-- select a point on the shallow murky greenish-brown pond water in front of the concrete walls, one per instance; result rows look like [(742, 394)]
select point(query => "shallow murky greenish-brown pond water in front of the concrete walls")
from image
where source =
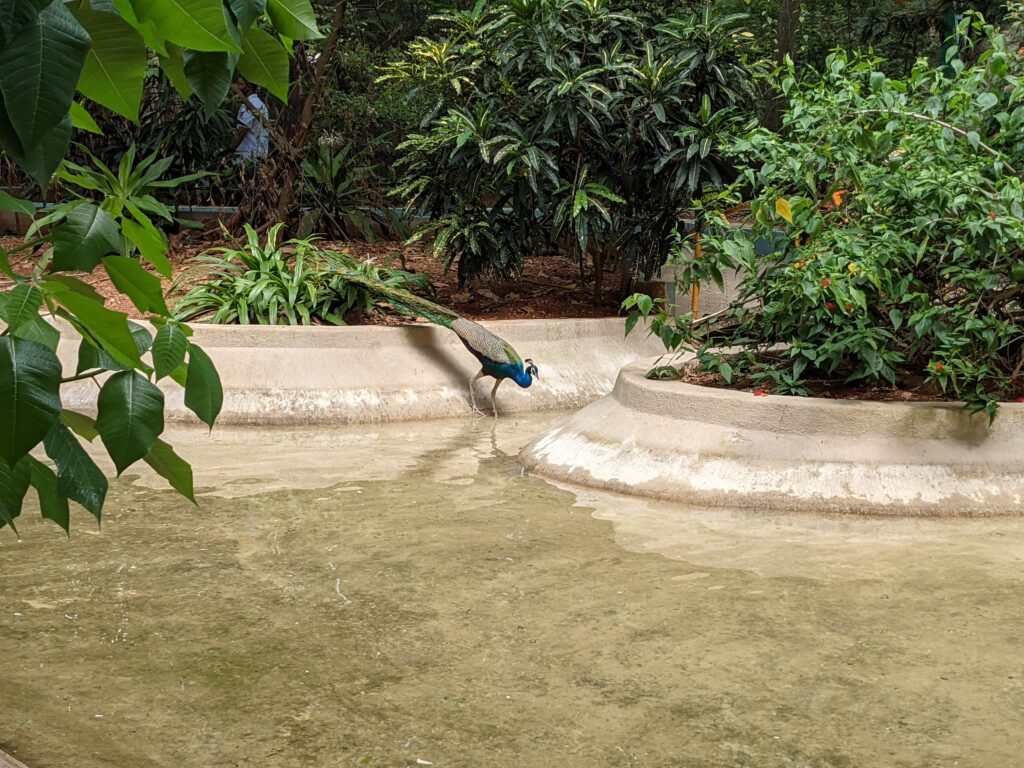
[(388, 595)]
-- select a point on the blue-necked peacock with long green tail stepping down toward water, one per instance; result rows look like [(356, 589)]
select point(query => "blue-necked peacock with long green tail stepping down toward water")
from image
[(497, 357)]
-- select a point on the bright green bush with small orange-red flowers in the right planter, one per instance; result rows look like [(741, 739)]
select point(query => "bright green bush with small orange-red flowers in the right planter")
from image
[(900, 209)]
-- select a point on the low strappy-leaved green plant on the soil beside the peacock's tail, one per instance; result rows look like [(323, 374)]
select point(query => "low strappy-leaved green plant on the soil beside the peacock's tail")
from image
[(272, 283)]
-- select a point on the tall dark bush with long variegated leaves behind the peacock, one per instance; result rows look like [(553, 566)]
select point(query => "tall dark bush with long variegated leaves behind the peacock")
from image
[(584, 123)]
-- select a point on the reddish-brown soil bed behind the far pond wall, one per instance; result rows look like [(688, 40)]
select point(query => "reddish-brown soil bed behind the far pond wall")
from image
[(550, 286)]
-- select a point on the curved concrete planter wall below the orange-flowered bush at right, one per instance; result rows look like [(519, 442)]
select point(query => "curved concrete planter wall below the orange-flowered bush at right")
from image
[(718, 448)]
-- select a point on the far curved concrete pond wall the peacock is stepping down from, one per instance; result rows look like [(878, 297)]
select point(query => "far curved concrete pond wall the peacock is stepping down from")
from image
[(318, 375)]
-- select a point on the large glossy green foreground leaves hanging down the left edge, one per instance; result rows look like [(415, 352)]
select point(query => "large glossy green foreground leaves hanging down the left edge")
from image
[(50, 52)]
